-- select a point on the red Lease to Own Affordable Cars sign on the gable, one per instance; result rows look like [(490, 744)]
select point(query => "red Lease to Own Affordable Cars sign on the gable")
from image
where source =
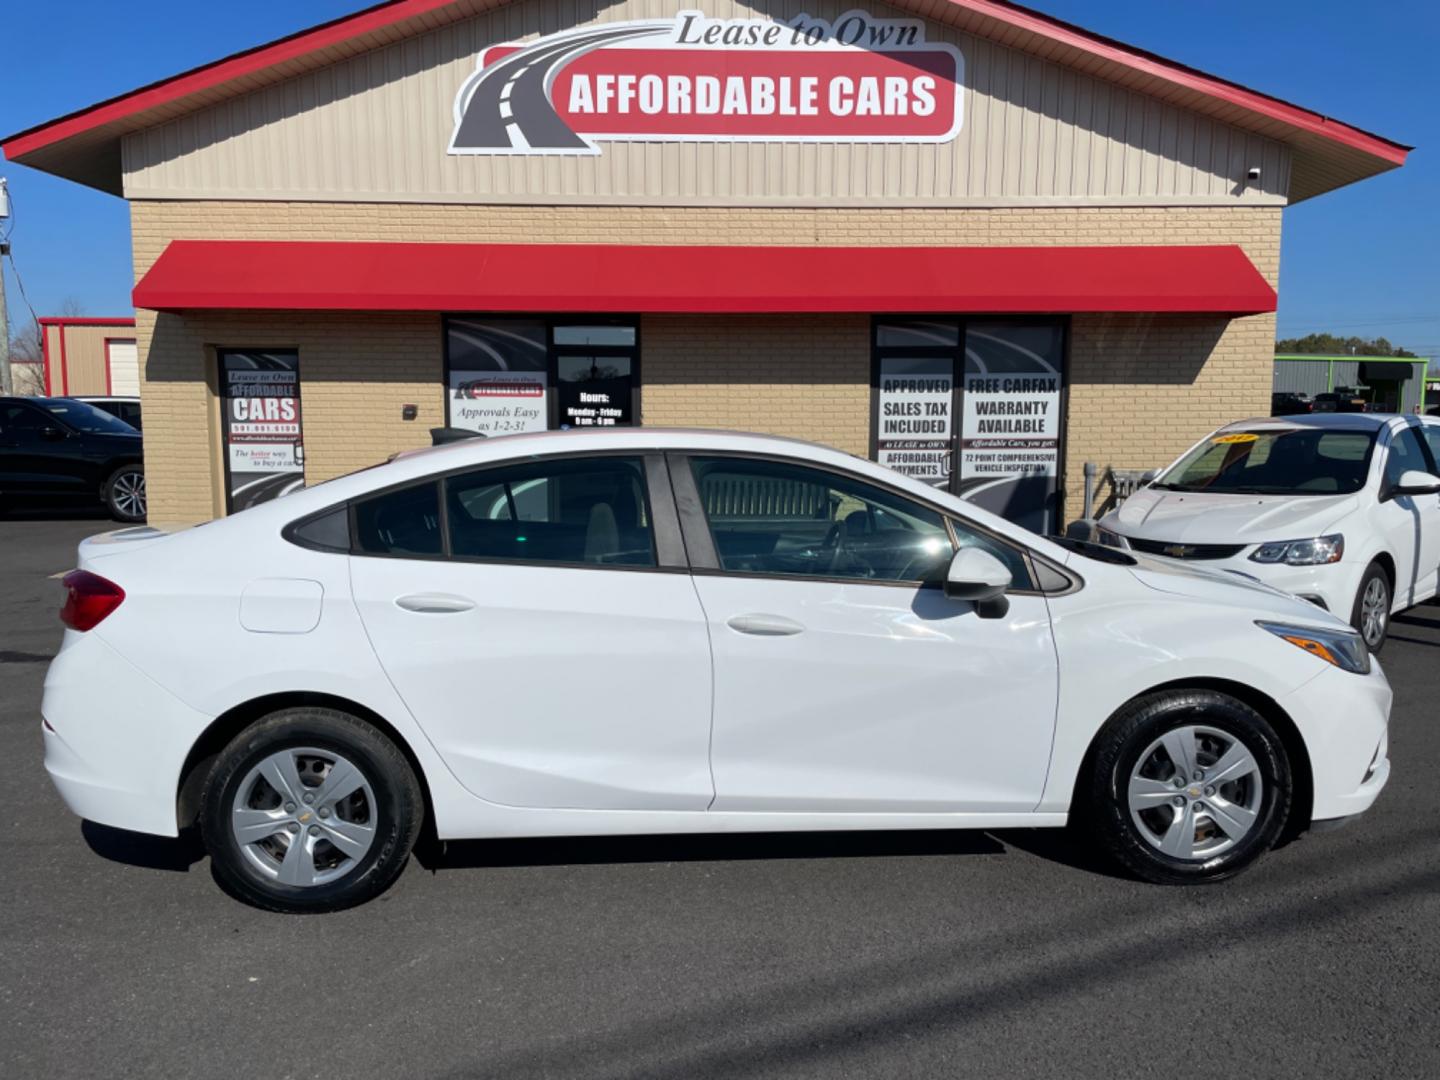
[(693, 78)]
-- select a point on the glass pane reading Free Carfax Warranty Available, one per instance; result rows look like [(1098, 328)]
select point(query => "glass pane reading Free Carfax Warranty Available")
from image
[(1010, 428)]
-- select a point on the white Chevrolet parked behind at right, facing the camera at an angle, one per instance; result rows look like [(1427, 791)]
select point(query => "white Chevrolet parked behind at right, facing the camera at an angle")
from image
[(1340, 509)]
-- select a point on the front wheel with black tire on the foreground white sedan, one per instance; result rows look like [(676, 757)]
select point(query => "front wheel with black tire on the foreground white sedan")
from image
[(1187, 787)]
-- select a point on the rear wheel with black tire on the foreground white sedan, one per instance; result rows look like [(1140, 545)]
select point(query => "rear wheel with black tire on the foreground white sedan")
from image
[(310, 810)]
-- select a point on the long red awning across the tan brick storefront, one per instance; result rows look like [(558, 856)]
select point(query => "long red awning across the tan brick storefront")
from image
[(283, 276)]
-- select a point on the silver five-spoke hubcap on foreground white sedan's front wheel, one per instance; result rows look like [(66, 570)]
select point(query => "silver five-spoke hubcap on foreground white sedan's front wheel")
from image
[(1196, 793)]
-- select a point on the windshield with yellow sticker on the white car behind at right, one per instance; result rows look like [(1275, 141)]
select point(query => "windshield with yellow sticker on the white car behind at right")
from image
[(1295, 462)]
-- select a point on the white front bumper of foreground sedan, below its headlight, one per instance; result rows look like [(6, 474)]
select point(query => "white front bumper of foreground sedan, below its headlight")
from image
[(1346, 724)]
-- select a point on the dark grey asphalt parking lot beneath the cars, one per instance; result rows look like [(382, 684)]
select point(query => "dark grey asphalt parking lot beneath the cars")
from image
[(834, 955)]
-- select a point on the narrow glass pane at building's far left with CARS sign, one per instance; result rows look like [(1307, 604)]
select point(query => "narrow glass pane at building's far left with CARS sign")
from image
[(264, 447)]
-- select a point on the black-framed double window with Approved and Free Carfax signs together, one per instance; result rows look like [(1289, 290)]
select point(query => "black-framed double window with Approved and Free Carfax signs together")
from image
[(976, 407)]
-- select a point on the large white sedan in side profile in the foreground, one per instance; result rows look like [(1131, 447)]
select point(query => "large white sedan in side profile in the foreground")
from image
[(660, 631)]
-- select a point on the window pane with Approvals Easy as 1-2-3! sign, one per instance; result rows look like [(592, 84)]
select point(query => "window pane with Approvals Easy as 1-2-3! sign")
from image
[(498, 377)]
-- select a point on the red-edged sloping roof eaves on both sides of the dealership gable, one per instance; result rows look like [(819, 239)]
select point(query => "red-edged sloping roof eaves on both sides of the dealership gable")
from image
[(84, 145)]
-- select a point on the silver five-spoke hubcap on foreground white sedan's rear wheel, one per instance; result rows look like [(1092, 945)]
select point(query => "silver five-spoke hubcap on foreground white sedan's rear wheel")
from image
[(305, 817)]
